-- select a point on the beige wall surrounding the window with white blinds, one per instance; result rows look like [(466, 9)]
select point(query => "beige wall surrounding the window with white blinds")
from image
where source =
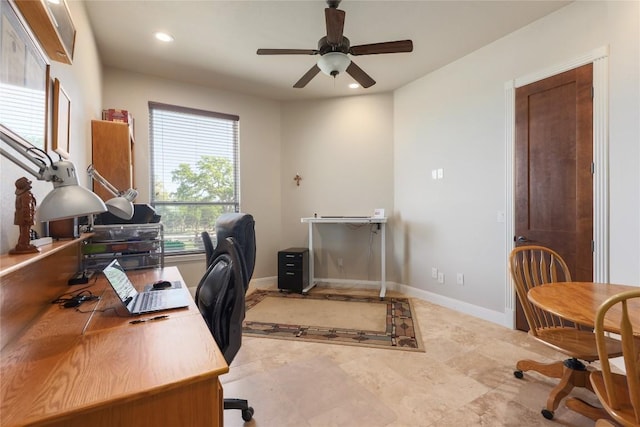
[(259, 151)]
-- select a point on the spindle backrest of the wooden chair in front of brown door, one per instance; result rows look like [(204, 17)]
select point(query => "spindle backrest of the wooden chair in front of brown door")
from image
[(533, 266)]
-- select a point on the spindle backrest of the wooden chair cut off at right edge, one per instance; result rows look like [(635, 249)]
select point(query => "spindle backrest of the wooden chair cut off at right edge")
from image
[(630, 350)]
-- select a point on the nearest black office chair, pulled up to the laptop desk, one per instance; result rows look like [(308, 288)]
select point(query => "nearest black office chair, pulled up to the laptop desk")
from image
[(220, 298)]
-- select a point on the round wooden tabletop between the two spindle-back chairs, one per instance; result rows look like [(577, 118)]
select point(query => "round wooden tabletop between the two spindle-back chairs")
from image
[(579, 302)]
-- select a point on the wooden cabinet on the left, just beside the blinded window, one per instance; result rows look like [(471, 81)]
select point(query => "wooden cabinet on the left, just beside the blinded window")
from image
[(112, 155)]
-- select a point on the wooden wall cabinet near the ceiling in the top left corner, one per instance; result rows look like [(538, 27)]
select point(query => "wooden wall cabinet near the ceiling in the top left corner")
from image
[(52, 25)]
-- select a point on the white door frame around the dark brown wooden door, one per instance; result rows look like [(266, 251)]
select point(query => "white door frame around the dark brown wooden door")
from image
[(600, 59)]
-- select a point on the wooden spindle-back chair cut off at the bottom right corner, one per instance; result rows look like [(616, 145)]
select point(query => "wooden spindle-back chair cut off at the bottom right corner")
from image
[(619, 393)]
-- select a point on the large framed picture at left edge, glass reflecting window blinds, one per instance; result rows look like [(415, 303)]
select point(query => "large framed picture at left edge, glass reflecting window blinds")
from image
[(24, 79)]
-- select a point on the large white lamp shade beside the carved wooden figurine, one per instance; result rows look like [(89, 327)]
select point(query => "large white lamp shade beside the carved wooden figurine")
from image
[(68, 199)]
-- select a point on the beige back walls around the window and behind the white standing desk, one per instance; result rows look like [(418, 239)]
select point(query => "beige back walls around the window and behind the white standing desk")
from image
[(343, 149)]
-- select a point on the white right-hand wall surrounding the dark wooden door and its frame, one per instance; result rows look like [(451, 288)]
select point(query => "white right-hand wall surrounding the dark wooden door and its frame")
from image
[(454, 119)]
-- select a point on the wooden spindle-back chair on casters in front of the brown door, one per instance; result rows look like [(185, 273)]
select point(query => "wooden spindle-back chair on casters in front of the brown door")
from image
[(533, 266)]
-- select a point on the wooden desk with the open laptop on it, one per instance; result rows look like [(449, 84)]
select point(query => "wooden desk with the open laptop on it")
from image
[(93, 368)]
